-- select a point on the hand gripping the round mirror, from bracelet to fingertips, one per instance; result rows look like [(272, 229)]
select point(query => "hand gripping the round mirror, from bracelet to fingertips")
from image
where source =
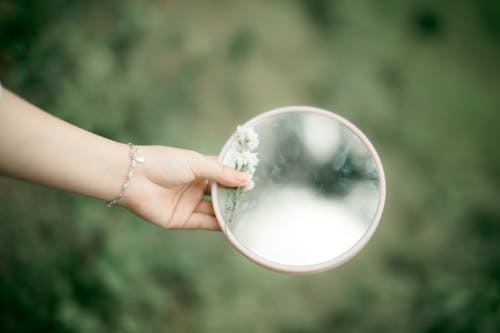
[(167, 190)]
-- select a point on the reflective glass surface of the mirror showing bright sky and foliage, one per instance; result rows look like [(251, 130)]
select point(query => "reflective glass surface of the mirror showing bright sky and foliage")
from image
[(316, 191)]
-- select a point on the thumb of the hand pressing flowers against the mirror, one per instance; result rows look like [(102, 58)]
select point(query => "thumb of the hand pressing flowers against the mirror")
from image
[(208, 167)]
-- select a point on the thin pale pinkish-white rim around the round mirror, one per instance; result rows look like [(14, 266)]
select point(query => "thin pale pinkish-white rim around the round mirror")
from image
[(334, 262)]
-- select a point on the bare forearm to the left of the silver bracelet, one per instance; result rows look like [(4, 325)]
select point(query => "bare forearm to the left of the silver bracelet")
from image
[(40, 148)]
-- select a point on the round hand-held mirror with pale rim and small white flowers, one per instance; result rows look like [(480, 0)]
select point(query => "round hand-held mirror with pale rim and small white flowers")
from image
[(317, 195)]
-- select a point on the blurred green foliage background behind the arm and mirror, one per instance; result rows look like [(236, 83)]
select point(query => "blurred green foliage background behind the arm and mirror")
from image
[(420, 78)]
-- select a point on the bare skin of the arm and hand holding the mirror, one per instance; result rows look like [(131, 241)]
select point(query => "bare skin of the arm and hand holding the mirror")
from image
[(166, 190)]
